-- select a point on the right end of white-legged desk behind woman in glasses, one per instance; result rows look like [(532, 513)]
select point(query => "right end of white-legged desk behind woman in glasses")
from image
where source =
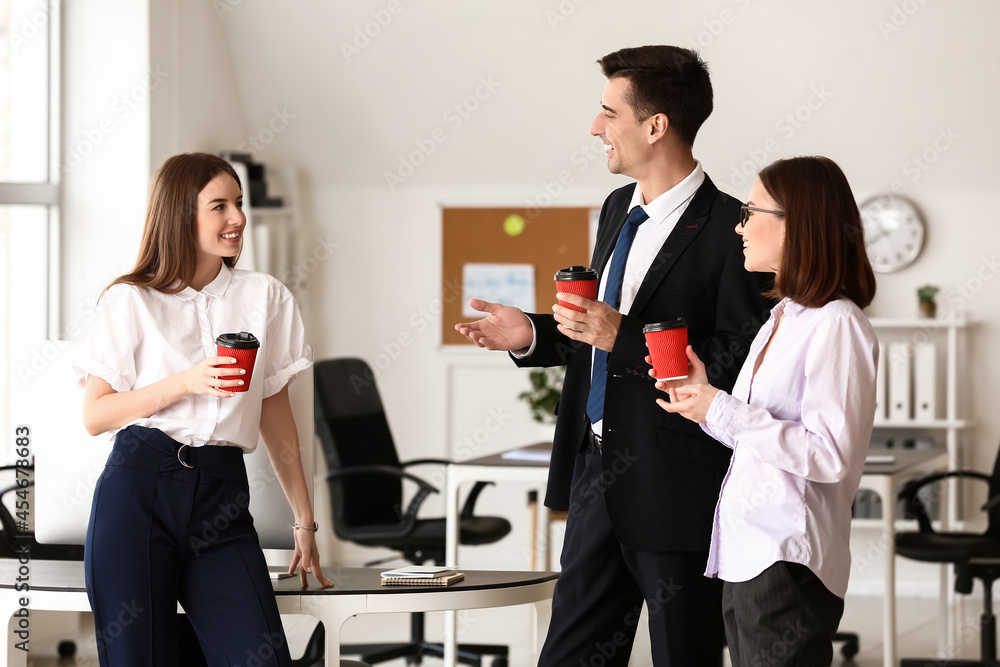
[(885, 479)]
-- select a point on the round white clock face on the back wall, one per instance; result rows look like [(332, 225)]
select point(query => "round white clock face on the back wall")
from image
[(894, 232)]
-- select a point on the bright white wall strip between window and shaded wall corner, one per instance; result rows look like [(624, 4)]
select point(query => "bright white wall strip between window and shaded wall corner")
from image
[(106, 135)]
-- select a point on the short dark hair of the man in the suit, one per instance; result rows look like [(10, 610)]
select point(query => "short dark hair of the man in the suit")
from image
[(664, 79)]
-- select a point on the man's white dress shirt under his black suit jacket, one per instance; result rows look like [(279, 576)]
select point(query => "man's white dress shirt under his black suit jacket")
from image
[(663, 212)]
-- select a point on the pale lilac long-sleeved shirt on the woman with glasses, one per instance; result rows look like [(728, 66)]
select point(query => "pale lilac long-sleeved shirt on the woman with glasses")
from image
[(799, 431)]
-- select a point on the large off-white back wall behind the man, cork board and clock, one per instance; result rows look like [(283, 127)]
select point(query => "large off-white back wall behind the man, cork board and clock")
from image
[(871, 84)]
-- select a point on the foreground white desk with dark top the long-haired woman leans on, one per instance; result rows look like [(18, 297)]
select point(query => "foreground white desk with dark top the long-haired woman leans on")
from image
[(59, 586)]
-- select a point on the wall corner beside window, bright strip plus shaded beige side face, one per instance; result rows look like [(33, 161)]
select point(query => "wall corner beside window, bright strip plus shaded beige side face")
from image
[(141, 81)]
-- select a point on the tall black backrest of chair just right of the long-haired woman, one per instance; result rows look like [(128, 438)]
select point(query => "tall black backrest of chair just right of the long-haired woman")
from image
[(353, 431)]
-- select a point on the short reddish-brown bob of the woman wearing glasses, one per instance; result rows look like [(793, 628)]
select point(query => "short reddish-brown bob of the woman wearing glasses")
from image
[(824, 254)]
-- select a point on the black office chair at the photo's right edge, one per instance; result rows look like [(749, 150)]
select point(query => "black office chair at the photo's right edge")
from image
[(974, 555)]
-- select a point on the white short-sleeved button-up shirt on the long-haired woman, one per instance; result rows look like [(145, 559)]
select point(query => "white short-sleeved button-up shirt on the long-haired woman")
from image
[(140, 336)]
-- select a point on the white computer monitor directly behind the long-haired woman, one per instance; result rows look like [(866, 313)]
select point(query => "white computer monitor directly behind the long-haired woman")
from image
[(46, 398)]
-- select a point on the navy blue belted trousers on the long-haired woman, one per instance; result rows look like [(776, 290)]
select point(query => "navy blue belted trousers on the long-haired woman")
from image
[(162, 533)]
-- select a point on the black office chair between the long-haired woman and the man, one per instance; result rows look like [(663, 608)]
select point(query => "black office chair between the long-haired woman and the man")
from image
[(365, 478)]
